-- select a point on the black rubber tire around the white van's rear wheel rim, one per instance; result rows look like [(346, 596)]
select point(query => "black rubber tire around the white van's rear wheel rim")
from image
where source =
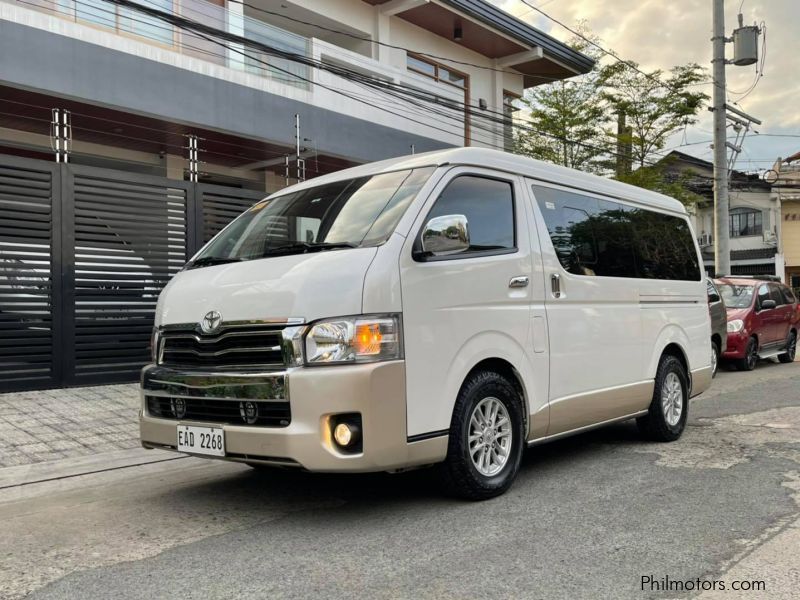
[(655, 424)]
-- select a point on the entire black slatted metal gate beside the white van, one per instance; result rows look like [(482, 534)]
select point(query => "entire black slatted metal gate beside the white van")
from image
[(84, 253)]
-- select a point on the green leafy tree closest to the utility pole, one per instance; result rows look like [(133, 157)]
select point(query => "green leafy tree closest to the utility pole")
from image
[(654, 106)]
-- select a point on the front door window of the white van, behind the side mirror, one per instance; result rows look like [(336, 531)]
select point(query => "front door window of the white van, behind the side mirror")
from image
[(488, 205)]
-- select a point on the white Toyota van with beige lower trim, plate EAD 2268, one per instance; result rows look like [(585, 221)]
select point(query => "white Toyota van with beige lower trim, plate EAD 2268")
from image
[(452, 307)]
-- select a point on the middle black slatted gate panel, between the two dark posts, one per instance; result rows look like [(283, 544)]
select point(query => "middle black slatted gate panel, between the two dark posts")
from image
[(130, 239)]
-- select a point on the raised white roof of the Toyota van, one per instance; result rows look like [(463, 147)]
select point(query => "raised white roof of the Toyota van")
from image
[(511, 163)]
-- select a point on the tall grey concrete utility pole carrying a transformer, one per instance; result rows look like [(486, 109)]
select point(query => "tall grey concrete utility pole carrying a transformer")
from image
[(722, 254)]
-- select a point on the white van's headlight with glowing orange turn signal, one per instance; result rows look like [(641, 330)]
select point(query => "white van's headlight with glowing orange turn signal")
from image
[(346, 340)]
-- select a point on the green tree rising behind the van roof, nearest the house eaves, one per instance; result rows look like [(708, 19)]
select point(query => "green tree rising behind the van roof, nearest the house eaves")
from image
[(565, 122)]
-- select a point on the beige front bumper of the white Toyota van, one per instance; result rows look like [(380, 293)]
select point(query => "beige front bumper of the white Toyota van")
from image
[(316, 395)]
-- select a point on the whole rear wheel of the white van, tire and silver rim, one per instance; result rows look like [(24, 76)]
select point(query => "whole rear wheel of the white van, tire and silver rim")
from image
[(666, 418)]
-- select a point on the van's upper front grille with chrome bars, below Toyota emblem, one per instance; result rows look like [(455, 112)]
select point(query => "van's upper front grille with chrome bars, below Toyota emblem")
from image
[(235, 345)]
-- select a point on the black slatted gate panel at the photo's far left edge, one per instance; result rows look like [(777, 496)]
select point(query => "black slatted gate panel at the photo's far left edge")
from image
[(26, 281)]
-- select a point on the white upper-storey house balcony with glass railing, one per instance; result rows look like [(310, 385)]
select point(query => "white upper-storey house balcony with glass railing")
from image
[(124, 30)]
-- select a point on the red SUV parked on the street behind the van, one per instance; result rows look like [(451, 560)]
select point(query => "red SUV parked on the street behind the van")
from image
[(763, 320)]
